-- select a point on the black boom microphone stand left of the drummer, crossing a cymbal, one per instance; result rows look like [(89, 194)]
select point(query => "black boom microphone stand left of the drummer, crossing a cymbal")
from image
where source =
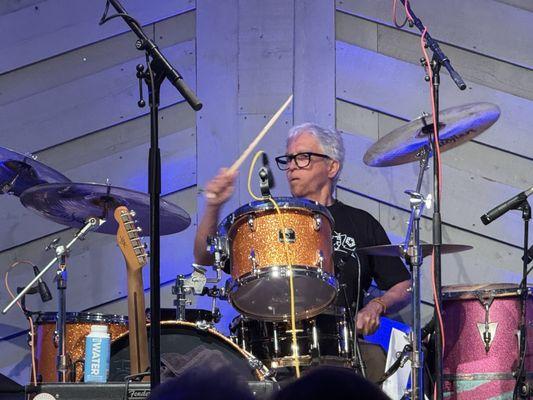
[(158, 69)]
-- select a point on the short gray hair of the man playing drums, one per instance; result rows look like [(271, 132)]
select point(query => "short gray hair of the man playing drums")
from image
[(330, 140)]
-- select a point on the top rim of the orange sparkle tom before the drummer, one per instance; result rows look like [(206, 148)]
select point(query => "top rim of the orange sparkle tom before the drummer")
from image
[(284, 203)]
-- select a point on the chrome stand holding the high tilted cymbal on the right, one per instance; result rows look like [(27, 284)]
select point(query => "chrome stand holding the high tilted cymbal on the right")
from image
[(413, 255)]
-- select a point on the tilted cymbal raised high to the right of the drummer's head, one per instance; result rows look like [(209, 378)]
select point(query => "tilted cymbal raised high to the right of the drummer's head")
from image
[(457, 125)]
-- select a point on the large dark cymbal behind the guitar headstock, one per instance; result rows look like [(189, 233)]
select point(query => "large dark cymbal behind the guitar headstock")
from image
[(72, 204)]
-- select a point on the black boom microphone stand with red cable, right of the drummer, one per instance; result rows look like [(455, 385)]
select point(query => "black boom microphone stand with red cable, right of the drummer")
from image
[(439, 59)]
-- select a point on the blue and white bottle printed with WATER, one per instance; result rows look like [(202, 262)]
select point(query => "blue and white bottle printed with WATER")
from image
[(97, 346)]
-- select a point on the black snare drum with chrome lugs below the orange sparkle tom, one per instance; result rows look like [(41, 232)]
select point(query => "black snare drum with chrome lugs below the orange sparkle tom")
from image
[(324, 339)]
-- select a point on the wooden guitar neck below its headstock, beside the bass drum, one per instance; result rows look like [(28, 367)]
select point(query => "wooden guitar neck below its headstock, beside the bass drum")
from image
[(139, 359)]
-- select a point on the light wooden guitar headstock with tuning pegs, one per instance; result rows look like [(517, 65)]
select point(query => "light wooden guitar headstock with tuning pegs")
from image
[(128, 239)]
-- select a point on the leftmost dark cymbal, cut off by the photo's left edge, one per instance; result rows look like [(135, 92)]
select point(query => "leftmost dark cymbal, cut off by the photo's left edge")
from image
[(19, 172)]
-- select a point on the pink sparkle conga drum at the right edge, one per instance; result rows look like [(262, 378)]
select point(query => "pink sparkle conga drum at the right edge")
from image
[(481, 324)]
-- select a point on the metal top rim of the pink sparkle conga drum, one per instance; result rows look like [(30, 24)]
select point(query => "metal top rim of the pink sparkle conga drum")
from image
[(481, 290)]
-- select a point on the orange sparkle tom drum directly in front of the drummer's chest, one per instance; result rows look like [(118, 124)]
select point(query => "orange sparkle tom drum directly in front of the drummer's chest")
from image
[(259, 287)]
